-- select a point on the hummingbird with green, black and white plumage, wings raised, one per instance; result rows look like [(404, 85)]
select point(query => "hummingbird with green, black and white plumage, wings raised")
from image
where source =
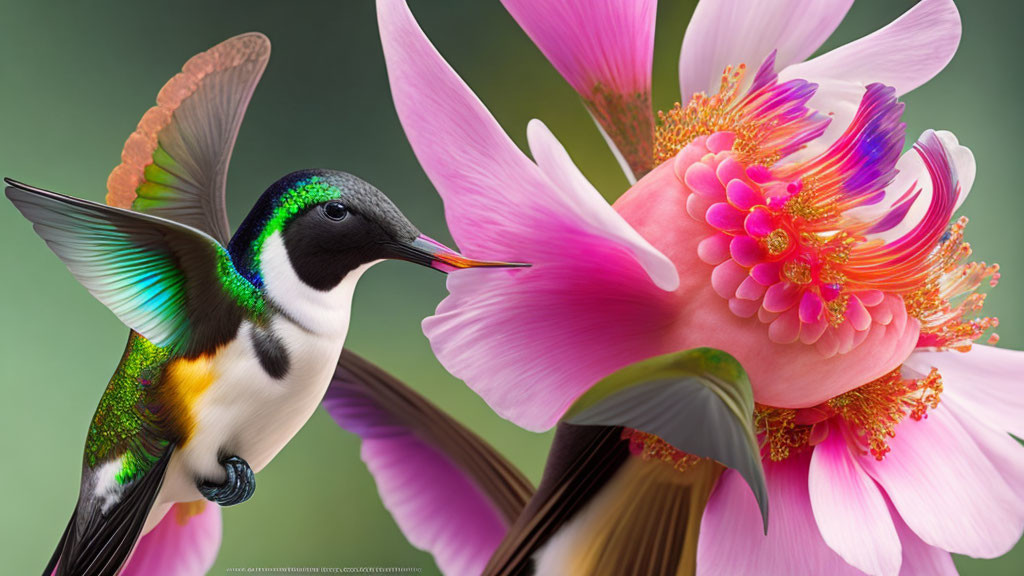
[(234, 338)]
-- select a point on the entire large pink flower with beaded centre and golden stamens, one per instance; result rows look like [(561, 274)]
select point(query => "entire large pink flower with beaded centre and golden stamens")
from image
[(778, 221)]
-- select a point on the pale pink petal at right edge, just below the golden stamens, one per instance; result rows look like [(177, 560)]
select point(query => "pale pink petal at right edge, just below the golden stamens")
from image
[(987, 382)]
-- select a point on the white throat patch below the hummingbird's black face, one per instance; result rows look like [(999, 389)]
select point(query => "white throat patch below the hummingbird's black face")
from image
[(325, 313)]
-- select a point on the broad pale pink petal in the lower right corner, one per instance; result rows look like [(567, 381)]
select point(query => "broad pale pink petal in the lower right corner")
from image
[(934, 475)]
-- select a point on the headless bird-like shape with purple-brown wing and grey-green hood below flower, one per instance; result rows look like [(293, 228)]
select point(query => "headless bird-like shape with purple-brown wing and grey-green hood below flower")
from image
[(631, 468)]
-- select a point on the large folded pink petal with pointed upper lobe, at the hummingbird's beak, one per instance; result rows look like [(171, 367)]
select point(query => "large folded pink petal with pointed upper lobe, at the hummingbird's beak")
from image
[(590, 271)]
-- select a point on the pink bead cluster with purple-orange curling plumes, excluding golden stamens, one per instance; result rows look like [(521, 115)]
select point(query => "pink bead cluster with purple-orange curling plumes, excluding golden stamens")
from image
[(788, 248)]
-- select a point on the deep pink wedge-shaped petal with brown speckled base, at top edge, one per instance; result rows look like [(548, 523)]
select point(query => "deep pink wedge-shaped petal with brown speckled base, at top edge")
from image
[(605, 51)]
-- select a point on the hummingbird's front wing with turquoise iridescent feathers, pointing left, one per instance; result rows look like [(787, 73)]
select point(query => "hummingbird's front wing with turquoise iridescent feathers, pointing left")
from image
[(172, 283)]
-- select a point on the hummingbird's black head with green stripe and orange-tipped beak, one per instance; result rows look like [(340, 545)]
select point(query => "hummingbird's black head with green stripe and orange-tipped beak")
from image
[(329, 225)]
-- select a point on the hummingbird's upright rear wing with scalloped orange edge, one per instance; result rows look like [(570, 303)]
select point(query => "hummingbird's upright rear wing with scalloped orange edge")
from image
[(176, 163)]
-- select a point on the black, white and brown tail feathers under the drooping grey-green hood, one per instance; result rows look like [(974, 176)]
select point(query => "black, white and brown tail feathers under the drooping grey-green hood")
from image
[(605, 513)]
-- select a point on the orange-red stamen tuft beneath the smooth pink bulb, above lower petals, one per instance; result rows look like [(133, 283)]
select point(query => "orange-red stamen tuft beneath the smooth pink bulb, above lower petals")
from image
[(868, 417)]
